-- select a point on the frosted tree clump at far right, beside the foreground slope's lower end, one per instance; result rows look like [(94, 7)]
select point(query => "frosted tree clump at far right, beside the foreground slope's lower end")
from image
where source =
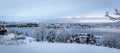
[(111, 41)]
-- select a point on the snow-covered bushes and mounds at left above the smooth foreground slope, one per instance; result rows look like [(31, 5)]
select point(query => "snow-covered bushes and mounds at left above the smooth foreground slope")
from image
[(10, 39)]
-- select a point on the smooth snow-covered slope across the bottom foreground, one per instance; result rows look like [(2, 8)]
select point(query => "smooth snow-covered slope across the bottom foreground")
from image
[(39, 47)]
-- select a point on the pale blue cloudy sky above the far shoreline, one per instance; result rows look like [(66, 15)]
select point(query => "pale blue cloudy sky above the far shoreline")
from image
[(23, 10)]
